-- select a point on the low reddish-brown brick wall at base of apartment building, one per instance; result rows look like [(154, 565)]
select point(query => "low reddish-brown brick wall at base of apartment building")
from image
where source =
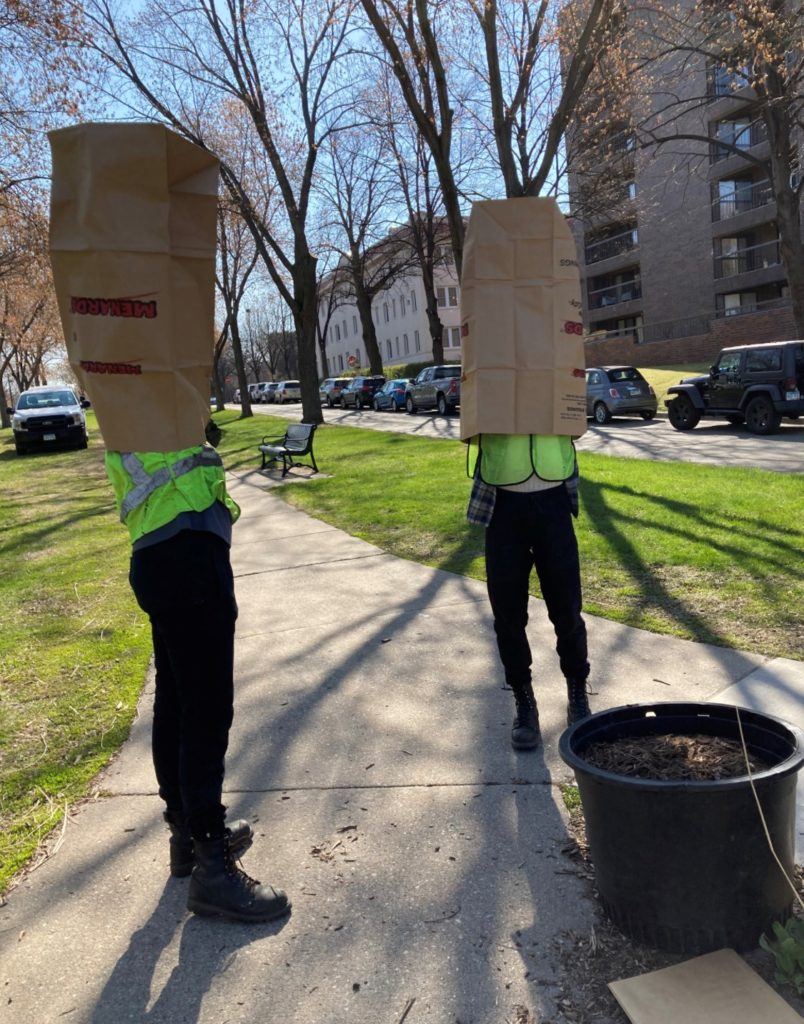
[(750, 329)]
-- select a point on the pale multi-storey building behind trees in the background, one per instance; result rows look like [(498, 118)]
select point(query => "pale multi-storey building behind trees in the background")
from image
[(400, 315)]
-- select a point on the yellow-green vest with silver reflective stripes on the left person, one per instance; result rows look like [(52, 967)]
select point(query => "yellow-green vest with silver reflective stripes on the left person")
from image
[(153, 488)]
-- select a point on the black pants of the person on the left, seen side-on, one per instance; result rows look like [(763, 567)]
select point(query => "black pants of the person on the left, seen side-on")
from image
[(186, 587)]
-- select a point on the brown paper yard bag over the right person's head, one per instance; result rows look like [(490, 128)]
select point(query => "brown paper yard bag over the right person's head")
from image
[(521, 322)]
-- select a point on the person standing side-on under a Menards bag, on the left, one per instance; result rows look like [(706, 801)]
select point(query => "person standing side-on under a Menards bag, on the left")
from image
[(137, 297)]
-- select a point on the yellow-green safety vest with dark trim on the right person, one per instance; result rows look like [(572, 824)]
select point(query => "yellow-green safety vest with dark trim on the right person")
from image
[(506, 459)]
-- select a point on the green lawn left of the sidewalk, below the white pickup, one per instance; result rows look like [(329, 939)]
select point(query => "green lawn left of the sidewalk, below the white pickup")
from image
[(74, 647)]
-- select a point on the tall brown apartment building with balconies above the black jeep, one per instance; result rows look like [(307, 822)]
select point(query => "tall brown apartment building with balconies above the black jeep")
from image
[(684, 257)]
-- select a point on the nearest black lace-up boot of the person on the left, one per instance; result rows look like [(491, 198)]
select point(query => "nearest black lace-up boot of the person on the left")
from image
[(220, 888)]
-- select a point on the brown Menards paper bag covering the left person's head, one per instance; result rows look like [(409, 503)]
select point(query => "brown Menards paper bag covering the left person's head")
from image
[(133, 247)]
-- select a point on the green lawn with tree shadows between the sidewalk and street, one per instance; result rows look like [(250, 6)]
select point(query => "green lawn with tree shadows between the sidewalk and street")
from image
[(707, 553)]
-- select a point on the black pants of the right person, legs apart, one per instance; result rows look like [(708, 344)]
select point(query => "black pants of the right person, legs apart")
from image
[(527, 531)]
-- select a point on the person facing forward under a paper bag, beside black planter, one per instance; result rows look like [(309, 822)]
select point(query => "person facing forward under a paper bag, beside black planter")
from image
[(523, 402)]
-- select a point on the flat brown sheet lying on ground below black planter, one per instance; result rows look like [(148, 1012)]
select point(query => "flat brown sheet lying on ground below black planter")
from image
[(717, 989)]
